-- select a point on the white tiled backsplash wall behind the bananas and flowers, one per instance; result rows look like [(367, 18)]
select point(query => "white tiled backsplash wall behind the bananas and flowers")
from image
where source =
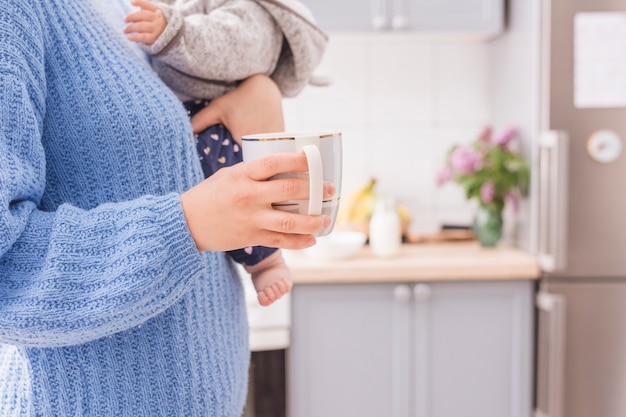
[(400, 103)]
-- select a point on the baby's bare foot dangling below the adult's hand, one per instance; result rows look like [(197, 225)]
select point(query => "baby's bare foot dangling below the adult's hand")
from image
[(271, 278)]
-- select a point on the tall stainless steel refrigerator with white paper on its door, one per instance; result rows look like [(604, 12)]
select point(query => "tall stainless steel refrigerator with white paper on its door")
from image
[(581, 339)]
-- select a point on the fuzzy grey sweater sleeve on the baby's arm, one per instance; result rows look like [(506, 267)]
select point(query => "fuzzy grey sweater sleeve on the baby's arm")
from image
[(230, 43)]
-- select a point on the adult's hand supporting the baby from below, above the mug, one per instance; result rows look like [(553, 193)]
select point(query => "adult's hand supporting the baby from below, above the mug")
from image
[(255, 106)]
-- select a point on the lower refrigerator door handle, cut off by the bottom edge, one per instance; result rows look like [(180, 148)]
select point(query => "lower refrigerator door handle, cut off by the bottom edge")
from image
[(550, 355)]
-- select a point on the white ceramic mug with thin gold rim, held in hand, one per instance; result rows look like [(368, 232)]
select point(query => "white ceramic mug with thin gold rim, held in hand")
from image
[(324, 157)]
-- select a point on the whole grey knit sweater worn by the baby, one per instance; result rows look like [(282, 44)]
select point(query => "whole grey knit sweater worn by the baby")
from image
[(209, 46)]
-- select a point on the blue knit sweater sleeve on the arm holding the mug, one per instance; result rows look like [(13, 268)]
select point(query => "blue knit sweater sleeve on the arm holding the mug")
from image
[(70, 276)]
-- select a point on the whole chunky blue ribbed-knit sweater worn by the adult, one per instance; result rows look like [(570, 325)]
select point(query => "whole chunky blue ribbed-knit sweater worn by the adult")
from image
[(106, 306)]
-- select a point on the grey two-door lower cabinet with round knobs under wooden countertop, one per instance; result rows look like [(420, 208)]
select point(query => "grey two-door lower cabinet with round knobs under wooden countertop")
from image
[(442, 349)]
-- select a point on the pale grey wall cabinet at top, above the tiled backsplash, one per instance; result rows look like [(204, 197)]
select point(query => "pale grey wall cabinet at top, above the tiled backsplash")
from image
[(481, 18)]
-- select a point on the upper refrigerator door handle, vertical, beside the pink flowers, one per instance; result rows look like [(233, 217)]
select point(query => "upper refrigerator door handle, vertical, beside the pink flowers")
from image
[(553, 200)]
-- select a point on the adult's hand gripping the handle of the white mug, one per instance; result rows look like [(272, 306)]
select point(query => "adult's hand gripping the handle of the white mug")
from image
[(233, 208)]
